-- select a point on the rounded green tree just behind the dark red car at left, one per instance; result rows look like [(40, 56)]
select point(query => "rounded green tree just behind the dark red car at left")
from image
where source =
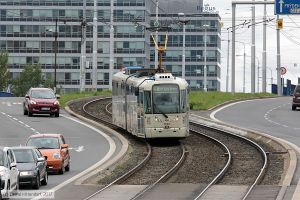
[(31, 76)]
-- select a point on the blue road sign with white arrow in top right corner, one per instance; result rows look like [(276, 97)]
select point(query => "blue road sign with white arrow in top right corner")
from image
[(287, 7)]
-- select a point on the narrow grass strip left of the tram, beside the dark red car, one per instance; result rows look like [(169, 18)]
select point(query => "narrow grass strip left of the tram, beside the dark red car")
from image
[(77, 95)]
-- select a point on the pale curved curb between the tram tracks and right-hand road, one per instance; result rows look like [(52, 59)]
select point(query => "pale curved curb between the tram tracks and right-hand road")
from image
[(263, 137)]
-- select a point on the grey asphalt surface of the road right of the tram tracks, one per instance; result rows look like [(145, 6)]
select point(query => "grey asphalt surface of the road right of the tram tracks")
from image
[(272, 116)]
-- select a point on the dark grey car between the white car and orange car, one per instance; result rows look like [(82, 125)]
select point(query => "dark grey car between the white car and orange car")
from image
[(32, 166)]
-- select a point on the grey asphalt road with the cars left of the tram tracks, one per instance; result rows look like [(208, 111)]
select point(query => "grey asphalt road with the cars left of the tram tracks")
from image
[(87, 146)]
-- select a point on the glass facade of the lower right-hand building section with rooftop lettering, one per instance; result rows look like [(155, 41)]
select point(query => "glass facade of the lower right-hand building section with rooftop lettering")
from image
[(194, 48)]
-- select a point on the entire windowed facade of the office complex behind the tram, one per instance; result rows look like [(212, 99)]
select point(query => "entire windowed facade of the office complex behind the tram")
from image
[(27, 30)]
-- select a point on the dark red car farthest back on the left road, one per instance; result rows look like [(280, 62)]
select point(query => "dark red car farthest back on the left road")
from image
[(41, 101)]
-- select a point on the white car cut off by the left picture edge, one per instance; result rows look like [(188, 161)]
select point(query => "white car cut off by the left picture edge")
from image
[(8, 172)]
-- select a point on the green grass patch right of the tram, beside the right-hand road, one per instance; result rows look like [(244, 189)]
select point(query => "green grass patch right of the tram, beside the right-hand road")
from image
[(206, 100)]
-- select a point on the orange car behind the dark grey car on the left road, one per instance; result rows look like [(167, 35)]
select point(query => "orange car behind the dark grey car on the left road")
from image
[(54, 148)]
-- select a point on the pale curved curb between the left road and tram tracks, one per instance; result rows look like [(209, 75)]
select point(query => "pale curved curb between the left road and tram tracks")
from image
[(110, 162)]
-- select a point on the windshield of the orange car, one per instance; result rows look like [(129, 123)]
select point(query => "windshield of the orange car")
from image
[(44, 143)]
